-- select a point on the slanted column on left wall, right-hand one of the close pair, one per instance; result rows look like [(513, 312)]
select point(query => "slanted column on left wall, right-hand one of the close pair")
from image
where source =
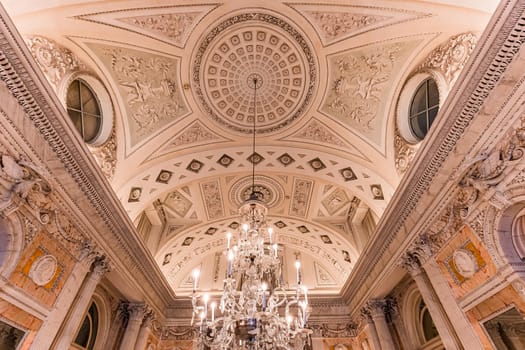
[(76, 315)]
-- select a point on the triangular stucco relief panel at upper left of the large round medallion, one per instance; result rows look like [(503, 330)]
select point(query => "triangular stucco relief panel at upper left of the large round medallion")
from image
[(175, 27)]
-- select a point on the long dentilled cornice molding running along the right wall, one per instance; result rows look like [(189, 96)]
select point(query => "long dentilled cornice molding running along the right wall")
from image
[(494, 53)]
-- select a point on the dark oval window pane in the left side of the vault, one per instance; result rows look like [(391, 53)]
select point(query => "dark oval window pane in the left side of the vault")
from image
[(84, 110)]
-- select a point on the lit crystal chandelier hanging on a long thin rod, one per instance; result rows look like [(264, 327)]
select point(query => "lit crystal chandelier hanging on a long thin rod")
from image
[(255, 311)]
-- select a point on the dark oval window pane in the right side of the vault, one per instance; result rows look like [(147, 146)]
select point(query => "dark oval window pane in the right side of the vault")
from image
[(423, 108)]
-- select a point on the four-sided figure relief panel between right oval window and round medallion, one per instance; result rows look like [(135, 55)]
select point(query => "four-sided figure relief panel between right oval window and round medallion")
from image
[(360, 81)]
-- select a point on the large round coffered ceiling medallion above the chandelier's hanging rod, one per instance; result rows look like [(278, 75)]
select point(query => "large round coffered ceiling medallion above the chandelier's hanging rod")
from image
[(260, 48)]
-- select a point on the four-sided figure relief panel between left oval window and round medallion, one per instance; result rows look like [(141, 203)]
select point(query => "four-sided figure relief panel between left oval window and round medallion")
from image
[(149, 86)]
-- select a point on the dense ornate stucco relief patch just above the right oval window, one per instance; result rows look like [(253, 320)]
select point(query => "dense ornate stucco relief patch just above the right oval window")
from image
[(450, 58)]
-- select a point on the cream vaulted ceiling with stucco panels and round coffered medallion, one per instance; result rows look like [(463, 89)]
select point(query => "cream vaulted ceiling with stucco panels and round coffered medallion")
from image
[(180, 84)]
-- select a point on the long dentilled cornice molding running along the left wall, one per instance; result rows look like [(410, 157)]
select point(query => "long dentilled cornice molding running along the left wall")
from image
[(28, 85)]
